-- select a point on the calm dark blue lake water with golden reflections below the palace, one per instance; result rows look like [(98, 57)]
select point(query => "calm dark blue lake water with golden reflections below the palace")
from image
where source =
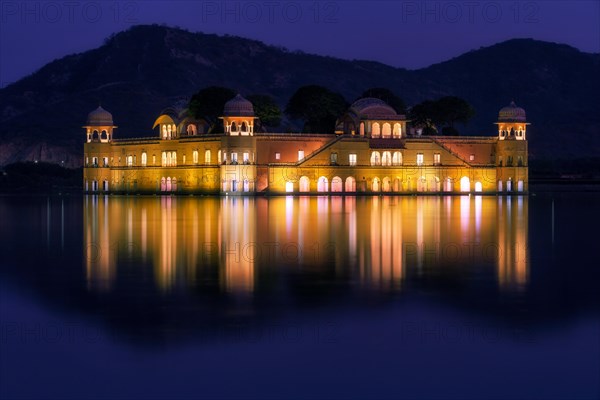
[(399, 297)]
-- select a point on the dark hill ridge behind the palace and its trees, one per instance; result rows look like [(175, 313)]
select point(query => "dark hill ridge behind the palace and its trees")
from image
[(138, 72)]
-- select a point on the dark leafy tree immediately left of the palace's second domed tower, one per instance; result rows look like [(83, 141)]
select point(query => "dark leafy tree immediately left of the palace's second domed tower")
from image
[(208, 103)]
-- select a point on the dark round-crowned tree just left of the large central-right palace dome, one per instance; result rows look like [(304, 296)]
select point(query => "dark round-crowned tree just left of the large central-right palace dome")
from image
[(318, 107)]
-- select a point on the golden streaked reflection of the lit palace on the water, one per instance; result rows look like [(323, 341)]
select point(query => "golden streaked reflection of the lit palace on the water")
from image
[(234, 242)]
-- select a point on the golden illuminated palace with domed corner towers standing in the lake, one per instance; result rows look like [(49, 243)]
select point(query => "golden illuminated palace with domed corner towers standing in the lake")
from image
[(370, 152)]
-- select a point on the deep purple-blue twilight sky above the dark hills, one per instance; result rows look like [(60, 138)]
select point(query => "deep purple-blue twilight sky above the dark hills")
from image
[(409, 34)]
